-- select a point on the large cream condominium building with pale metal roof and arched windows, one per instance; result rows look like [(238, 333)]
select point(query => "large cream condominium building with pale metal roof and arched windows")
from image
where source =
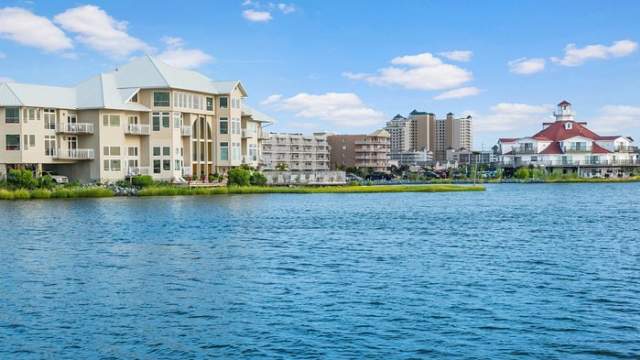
[(145, 117)]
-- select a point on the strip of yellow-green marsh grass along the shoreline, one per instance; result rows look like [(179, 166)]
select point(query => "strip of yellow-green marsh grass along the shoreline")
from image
[(170, 190)]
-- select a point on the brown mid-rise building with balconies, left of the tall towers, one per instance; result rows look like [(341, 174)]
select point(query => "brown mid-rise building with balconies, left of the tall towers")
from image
[(361, 151)]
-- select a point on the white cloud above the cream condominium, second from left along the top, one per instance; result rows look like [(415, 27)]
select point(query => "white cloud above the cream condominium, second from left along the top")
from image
[(98, 30)]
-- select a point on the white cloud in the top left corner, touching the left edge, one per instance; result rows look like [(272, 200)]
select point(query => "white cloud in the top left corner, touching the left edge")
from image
[(26, 28)]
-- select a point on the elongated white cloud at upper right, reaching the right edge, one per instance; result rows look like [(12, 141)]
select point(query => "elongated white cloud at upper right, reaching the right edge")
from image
[(574, 56)]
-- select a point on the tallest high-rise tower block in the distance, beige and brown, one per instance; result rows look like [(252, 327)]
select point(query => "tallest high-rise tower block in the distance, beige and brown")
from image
[(422, 136)]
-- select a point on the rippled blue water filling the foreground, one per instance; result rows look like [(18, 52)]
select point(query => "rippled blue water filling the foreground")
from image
[(518, 271)]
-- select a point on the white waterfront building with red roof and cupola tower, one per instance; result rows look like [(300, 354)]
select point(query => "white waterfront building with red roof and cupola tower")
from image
[(567, 143)]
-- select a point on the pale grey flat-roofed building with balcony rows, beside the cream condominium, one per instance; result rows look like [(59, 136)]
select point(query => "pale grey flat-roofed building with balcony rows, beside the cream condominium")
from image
[(296, 152)]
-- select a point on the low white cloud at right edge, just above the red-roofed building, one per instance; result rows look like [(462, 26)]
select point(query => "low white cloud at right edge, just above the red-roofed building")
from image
[(616, 120)]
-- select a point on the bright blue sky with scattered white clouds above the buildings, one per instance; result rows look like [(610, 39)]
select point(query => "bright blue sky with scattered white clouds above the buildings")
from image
[(350, 66)]
